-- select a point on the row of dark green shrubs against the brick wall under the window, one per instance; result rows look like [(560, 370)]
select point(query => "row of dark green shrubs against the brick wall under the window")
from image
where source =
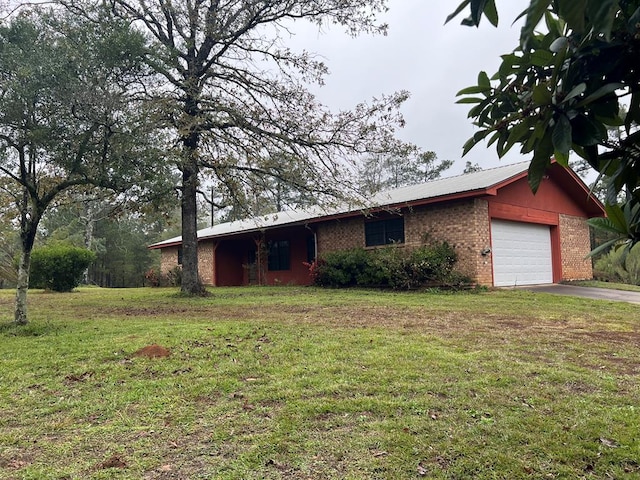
[(395, 267)]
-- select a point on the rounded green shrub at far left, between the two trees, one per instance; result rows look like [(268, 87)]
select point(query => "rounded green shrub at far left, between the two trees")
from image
[(59, 267)]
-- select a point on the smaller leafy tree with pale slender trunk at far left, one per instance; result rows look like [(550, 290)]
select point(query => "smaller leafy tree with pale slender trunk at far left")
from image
[(68, 119)]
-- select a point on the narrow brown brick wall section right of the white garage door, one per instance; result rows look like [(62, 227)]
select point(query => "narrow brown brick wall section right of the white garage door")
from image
[(575, 244)]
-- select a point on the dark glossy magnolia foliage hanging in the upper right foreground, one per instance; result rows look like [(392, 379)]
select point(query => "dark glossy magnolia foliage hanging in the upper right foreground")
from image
[(561, 89)]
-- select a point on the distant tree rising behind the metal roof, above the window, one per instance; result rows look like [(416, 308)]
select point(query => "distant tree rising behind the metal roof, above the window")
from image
[(410, 166)]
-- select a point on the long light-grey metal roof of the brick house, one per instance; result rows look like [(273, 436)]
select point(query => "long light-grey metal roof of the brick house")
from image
[(442, 187)]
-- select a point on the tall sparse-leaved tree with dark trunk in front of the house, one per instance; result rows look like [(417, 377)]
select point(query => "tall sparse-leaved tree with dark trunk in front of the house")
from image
[(235, 96)]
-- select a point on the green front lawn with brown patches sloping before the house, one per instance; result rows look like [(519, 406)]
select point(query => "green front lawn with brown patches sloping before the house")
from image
[(273, 383)]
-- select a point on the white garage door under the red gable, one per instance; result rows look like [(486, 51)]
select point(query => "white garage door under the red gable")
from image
[(521, 253)]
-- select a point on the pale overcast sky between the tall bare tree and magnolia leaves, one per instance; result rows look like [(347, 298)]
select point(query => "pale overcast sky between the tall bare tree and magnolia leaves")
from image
[(431, 60)]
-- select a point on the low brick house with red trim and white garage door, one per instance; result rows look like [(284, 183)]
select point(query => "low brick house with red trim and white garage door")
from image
[(503, 234)]
